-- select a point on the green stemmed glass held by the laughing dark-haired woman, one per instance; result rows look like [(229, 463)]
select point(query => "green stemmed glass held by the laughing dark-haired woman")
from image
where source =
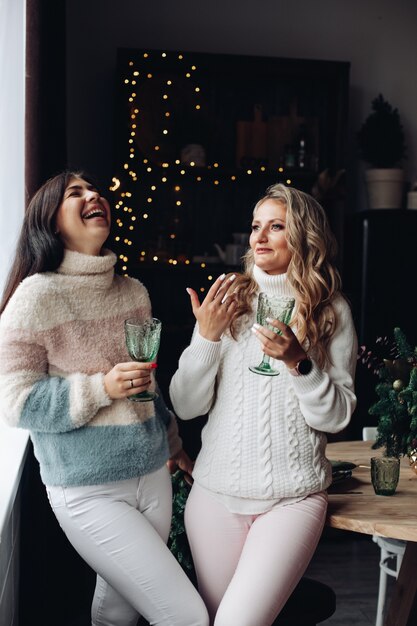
[(142, 342)]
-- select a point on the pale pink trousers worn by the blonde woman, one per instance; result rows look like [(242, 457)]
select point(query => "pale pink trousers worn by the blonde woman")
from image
[(248, 565)]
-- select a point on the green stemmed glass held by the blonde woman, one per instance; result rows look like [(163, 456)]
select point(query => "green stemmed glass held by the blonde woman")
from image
[(277, 308)]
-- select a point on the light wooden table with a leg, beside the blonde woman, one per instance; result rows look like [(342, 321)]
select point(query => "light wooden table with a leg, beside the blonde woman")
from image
[(354, 506)]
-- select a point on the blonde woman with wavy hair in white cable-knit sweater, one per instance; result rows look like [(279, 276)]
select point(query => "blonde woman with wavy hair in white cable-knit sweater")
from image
[(258, 503)]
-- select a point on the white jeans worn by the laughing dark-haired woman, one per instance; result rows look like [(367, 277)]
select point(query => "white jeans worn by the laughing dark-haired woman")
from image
[(120, 529)]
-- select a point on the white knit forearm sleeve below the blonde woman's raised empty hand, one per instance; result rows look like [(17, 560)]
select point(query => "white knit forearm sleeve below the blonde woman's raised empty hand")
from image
[(192, 387)]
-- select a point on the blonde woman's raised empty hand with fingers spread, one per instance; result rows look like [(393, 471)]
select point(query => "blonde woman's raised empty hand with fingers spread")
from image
[(214, 314)]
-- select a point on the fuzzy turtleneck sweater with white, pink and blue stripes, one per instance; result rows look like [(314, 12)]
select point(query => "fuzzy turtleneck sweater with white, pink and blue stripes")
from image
[(60, 334)]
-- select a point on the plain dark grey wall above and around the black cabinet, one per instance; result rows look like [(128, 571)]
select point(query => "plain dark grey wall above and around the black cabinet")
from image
[(378, 38)]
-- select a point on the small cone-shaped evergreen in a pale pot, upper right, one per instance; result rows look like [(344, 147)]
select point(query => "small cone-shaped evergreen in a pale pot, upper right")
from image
[(382, 145)]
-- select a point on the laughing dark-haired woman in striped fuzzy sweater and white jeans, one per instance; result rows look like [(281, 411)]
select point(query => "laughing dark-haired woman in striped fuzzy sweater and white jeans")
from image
[(65, 376)]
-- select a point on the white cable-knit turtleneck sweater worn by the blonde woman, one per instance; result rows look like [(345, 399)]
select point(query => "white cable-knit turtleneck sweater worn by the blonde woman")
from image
[(265, 437)]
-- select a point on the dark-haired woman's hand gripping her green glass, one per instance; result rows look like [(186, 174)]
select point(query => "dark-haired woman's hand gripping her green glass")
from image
[(126, 379)]
